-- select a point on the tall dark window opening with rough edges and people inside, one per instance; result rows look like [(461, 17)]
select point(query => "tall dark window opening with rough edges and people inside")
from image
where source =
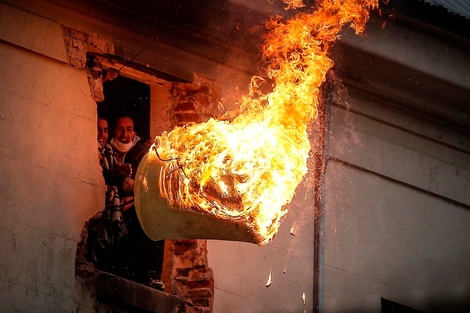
[(118, 244)]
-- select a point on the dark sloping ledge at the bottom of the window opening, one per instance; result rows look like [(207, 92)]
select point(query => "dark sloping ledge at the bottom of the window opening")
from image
[(123, 291)]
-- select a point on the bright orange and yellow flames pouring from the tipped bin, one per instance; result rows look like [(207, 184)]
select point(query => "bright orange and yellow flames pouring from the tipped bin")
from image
[(247, 170)]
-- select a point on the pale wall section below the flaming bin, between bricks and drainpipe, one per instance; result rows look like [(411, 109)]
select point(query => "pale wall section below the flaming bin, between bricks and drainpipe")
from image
[(241, 270)]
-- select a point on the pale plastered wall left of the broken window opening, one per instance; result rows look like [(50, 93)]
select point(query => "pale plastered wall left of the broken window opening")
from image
[(51, 182)]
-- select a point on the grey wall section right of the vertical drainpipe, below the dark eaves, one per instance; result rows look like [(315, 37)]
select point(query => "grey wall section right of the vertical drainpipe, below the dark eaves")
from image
[(388, 233)]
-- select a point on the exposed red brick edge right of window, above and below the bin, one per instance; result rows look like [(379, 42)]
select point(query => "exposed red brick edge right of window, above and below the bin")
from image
[(187, 272)]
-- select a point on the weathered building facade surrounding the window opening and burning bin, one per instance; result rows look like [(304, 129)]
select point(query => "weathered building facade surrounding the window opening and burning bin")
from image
[(382, 216)]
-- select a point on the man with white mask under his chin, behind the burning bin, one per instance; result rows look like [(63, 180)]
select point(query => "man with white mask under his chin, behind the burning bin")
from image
[(137, 257)]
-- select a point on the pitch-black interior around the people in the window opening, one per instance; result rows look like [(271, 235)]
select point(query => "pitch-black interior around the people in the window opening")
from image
[(132, 256)]
